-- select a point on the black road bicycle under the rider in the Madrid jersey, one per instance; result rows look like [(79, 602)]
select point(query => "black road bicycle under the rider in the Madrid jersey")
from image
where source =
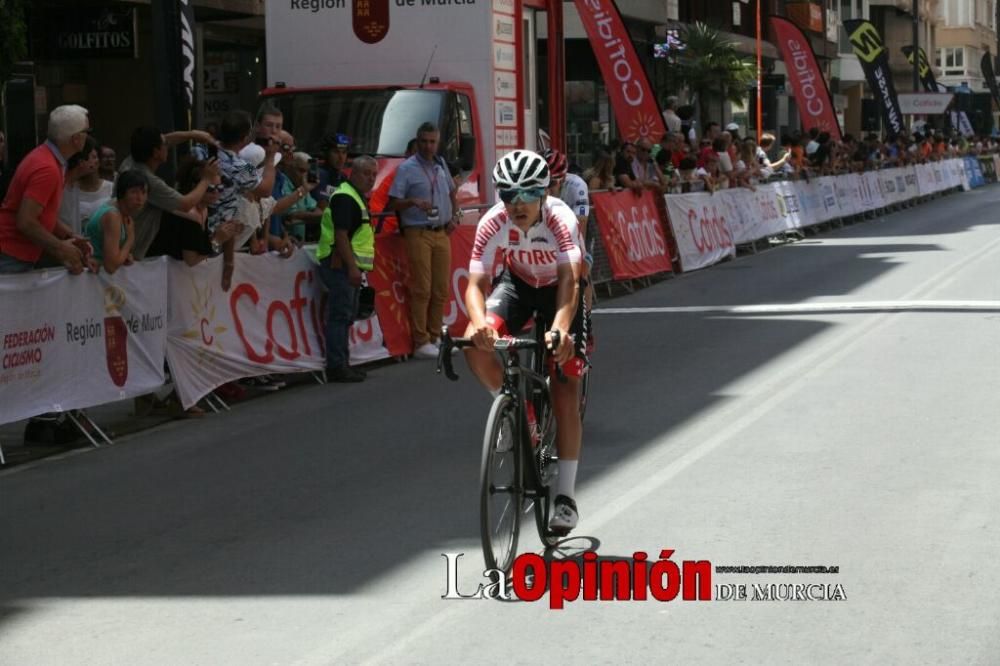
[(519, 461)]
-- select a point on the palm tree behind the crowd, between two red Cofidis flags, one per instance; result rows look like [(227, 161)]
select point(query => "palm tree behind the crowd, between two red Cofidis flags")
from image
[(712, 69)]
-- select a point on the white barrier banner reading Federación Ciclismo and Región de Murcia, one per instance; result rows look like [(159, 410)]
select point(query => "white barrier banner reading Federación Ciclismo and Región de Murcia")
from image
[(75, 341)]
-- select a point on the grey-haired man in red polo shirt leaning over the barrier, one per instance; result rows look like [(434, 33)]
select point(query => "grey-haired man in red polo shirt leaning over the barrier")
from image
[(29, 226)]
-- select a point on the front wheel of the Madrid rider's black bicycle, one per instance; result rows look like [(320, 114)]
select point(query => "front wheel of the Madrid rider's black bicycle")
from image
[(501, 492)]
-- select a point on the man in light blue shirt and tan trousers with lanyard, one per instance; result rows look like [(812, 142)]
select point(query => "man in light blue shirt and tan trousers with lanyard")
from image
[(424, 195)]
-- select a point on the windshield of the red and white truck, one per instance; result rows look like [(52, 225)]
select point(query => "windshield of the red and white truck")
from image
[(379, 122)]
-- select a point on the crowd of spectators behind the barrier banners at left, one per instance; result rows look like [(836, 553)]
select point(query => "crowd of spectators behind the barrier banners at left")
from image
[(245, 187)]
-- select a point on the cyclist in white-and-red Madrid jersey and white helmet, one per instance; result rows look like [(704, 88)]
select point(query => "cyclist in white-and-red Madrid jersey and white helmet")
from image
[(530, 243)]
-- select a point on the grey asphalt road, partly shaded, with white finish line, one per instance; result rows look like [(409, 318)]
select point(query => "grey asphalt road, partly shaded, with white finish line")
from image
[(846, 415)]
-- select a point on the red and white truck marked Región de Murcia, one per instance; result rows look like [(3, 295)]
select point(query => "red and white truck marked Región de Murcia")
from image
[(376, 69)]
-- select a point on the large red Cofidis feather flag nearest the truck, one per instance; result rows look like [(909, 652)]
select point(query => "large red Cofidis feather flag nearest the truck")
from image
[(632, 98)]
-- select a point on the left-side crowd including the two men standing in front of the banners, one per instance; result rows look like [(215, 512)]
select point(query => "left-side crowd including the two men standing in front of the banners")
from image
[(243, 186)]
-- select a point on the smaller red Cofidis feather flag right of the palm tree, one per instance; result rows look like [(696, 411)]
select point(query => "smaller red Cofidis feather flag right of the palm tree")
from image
[(811, 94)]
